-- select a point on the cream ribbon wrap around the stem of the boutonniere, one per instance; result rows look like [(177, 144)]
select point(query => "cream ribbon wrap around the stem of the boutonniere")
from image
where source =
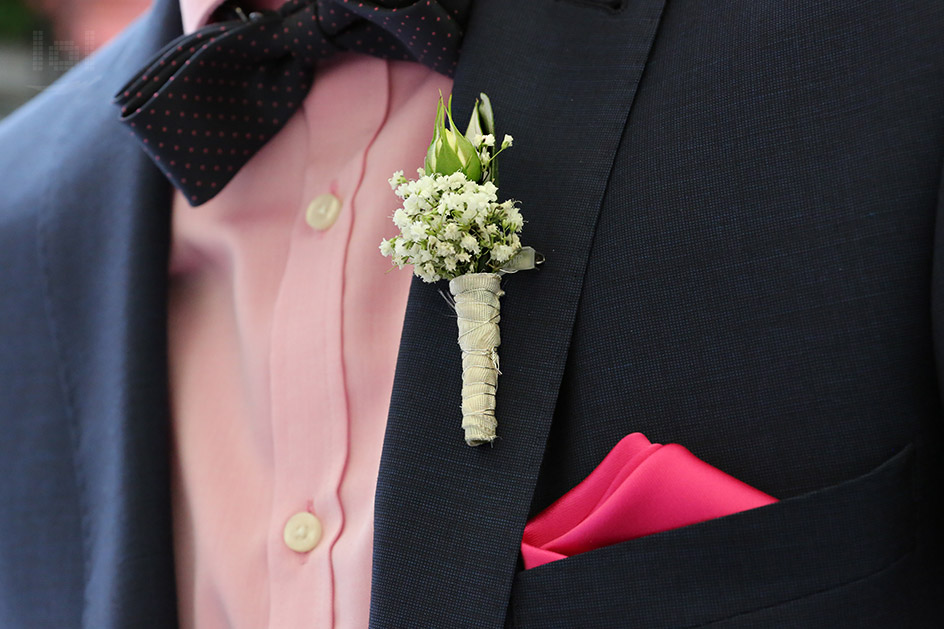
[(477, 306)]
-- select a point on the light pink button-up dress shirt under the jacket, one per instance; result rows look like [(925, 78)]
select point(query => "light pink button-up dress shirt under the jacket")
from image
[(283, 343)]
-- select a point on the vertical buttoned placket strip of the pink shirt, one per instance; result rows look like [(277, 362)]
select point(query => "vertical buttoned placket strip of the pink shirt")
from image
[(309, 405)]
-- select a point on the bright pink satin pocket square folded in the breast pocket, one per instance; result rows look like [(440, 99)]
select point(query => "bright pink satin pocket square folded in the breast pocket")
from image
[(639, 489)]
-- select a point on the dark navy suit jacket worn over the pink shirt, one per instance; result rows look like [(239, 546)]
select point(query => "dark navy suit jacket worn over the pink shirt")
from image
[(737, 201)]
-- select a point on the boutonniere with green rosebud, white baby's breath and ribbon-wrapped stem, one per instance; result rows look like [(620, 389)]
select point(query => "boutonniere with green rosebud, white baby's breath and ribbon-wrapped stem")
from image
[(453, 227)]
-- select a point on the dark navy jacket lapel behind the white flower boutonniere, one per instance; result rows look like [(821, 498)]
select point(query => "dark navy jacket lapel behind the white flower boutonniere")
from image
[(449, 518)]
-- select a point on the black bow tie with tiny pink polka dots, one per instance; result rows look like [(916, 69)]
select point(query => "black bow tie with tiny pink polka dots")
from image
[(205, 104)]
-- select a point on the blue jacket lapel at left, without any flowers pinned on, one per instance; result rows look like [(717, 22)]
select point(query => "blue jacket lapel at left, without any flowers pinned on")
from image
[(104, 234)]
